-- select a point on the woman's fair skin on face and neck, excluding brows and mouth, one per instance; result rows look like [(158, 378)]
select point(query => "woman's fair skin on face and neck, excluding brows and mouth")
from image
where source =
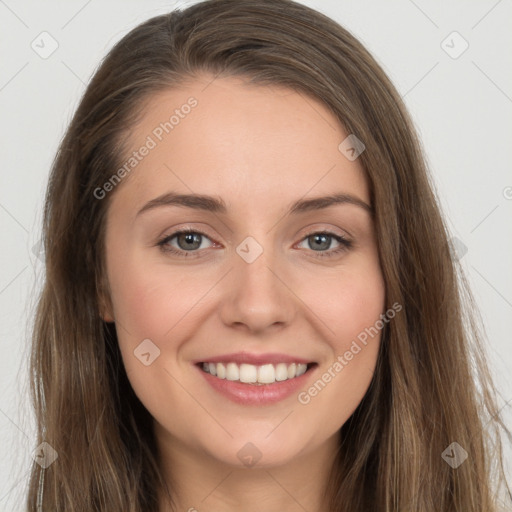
[(259, 149)]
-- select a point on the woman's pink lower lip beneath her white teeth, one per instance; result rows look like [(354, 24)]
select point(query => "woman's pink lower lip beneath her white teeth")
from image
[(251, 394)]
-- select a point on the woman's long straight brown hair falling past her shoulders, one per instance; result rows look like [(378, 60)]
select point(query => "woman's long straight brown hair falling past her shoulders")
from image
[(431, 387)]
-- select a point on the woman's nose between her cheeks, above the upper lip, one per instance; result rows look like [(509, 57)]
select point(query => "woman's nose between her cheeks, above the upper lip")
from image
[(258, 296)]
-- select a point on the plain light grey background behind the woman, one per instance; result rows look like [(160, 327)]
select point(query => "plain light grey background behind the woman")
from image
[(462, 108)]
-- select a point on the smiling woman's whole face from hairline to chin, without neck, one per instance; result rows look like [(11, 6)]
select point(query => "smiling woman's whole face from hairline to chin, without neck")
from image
[(265, 284)]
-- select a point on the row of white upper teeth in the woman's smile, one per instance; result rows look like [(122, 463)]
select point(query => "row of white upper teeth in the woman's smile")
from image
[(251, 374)]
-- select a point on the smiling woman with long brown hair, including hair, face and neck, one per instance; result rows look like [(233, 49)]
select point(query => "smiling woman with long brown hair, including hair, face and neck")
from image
[(250, 298)]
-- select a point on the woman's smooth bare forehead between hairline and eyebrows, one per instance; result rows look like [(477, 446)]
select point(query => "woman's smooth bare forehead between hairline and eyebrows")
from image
[(239, 141)]
